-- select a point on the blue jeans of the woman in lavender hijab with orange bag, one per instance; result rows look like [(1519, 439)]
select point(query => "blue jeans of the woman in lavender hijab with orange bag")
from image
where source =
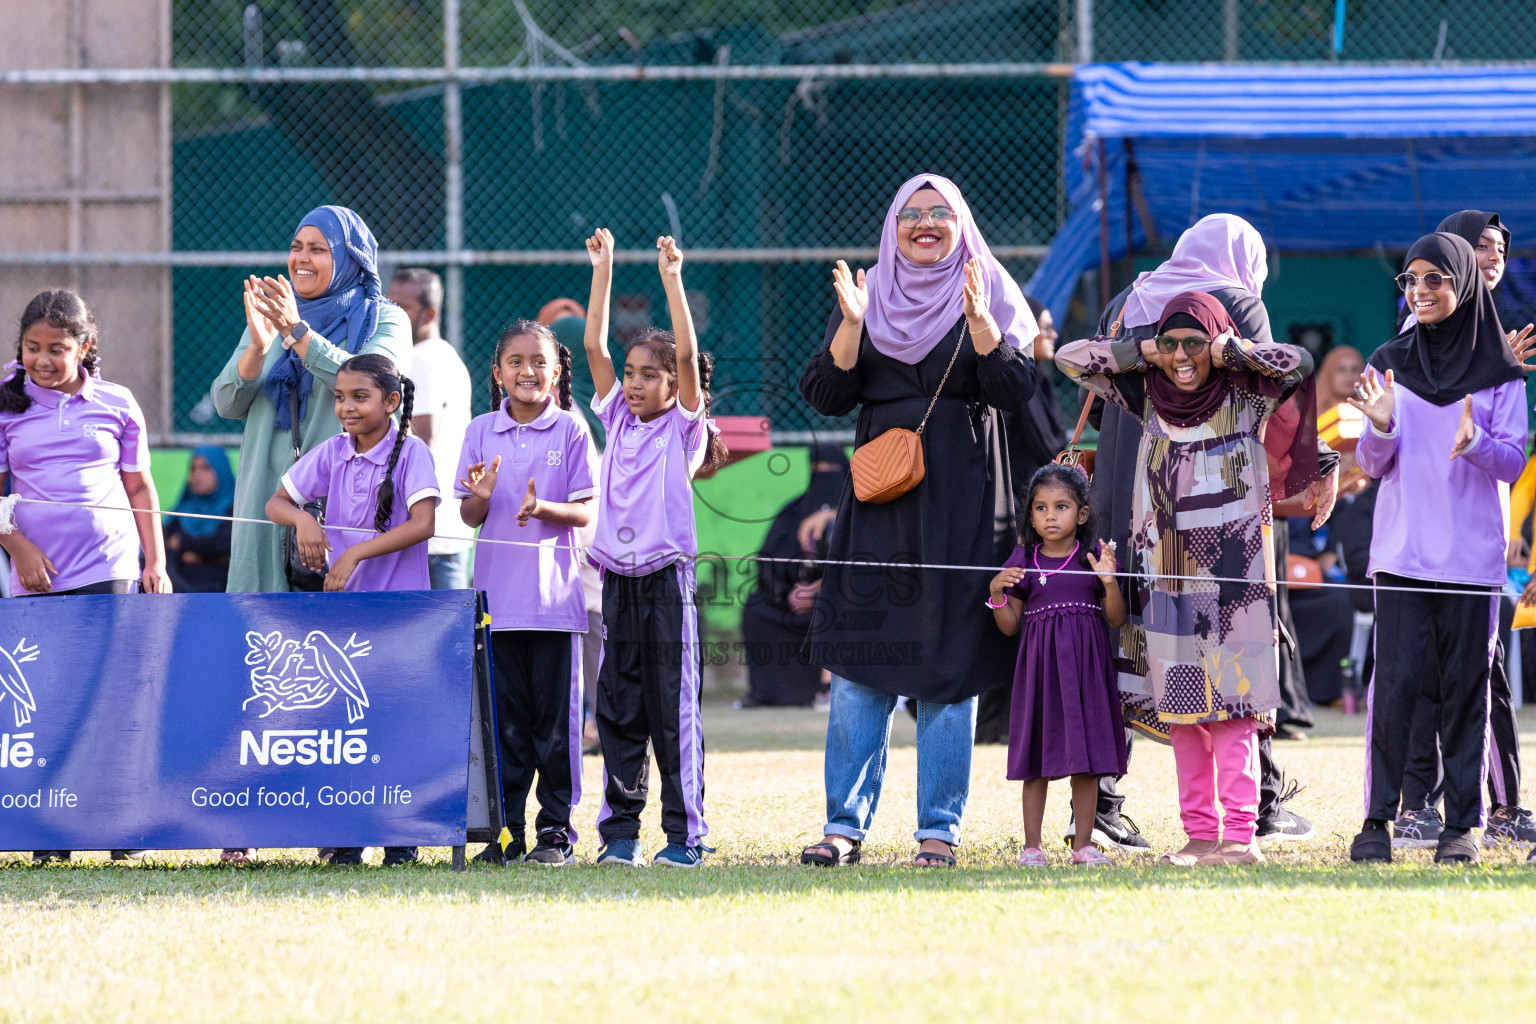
[(858, 742)]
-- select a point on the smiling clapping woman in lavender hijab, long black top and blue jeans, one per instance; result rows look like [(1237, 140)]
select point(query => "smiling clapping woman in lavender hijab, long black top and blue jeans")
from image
[(936, 296)]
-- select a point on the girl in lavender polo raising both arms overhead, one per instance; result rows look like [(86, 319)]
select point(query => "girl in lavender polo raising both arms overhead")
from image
[(649, 684)]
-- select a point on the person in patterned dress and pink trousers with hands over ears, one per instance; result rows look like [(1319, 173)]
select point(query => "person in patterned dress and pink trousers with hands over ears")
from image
[(1200, 544)]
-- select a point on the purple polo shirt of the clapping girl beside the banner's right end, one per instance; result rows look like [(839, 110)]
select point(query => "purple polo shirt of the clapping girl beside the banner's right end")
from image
[(531, 587)]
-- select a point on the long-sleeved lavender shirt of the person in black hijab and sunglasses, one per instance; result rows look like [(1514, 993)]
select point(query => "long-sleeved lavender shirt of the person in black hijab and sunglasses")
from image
[(1442, 518)]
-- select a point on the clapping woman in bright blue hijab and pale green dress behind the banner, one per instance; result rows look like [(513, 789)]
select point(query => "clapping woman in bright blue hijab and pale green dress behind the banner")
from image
[(299, 332)]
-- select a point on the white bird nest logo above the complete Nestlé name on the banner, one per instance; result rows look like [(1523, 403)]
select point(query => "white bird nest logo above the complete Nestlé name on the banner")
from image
[(300, 676)]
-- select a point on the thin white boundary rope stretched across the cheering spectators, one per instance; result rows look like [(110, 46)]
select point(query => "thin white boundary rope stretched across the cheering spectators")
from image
[(1488, 592)]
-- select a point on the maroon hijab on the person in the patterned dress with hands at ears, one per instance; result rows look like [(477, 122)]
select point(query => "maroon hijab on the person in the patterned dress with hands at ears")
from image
[(1291, 435)]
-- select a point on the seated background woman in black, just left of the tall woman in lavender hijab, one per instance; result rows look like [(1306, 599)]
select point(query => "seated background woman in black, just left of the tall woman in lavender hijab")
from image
[(778, 615)]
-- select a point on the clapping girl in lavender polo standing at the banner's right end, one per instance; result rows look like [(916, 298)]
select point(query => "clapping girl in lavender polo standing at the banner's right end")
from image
[(538, 612)]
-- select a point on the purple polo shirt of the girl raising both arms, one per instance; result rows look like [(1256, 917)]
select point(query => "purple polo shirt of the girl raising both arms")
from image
[(646, 515)]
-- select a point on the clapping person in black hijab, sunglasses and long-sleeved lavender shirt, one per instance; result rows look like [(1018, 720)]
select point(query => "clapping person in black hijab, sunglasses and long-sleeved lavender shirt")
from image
[(1446, 401)]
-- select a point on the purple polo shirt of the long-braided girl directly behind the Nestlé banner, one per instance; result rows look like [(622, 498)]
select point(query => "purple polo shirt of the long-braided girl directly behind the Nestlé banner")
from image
[(351, 484)]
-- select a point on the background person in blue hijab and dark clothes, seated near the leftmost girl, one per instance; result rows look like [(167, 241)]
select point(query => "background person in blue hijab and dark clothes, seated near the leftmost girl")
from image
[(199, 549)]
